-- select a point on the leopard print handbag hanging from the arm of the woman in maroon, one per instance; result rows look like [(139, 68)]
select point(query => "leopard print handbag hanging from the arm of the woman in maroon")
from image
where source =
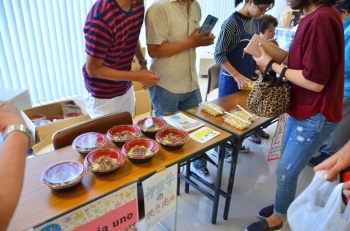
[(270, 96)]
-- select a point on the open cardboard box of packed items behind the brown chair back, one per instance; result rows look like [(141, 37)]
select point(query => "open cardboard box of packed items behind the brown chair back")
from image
[(45, 132)]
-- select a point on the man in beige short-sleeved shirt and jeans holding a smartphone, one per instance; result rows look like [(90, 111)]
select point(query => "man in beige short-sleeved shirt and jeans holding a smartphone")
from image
[(172, 31)]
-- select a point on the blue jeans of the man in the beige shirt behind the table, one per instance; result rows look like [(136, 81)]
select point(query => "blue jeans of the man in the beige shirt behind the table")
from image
[(165, 102)]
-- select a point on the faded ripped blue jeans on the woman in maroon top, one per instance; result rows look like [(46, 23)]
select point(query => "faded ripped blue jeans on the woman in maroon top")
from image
[(301, 140)]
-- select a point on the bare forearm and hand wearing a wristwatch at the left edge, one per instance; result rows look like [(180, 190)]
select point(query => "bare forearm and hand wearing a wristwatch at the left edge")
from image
[(12, 163)]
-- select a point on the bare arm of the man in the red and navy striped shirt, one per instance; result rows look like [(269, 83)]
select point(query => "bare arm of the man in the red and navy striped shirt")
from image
[(95, 68)]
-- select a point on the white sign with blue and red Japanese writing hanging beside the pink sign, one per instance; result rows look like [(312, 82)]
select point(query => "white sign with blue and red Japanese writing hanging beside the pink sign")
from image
[(160, 196)]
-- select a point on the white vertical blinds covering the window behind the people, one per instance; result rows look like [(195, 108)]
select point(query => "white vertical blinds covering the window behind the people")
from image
[(42, 44)]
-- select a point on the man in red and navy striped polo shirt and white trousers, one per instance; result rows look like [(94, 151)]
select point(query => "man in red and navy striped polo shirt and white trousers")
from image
[(111, 31)]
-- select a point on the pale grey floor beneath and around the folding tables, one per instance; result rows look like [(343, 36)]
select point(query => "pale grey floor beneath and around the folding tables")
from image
[(254, 188)]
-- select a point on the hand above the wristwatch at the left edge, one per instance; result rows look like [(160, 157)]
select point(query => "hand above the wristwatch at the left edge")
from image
[(9, 115)]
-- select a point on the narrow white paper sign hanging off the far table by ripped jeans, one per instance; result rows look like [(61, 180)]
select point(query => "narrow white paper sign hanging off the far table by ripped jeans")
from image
[(277, 140)]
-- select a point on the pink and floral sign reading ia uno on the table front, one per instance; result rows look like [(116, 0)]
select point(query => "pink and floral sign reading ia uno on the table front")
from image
[(117, 211)]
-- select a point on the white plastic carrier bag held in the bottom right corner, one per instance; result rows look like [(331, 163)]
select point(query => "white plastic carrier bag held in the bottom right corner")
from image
[(318, 207)]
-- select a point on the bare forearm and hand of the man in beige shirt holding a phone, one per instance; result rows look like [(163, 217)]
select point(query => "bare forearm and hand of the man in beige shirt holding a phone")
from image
[(167, 49)]
